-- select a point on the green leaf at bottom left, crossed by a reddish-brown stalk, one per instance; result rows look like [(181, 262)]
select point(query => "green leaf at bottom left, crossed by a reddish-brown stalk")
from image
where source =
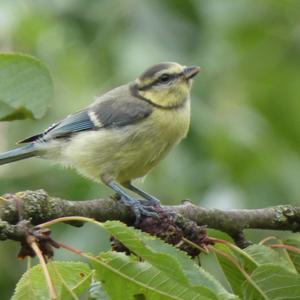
[(70, 279)]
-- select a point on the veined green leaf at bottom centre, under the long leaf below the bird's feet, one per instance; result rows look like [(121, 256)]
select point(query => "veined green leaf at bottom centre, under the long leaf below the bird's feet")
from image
[(124, 277)]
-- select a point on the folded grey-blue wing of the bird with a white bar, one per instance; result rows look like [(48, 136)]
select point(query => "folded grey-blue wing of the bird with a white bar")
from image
[(110, 113)]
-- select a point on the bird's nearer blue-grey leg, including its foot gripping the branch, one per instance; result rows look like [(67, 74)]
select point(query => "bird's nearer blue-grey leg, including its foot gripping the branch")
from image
[(138, 208)]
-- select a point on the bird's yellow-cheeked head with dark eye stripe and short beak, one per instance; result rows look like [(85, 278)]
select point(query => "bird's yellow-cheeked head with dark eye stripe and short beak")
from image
[(166, 84)]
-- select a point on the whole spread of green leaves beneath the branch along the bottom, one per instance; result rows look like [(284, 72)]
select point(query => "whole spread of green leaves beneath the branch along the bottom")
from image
[(156, 270)]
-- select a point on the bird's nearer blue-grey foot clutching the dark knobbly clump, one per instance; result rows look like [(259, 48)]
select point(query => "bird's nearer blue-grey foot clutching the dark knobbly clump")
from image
[(139, 209)]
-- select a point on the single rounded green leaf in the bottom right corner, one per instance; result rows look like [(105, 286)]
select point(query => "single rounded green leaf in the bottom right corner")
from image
[(275, 282)]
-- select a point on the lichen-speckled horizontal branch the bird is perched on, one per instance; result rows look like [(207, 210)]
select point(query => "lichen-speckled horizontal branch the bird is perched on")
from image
[(39, 207)]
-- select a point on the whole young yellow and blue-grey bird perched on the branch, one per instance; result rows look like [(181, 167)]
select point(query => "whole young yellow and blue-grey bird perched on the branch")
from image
[(123, 134)]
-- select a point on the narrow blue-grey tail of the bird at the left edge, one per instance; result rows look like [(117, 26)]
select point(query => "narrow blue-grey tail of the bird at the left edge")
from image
[(27, 151)]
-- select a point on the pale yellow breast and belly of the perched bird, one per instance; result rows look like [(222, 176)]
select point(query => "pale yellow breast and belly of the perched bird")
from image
[(129, 152)]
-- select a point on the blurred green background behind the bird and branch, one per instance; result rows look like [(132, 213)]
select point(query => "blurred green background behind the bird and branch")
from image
[(243, 146)]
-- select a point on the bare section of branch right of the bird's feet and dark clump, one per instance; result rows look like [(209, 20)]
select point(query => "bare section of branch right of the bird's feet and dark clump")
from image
[(234, 221)]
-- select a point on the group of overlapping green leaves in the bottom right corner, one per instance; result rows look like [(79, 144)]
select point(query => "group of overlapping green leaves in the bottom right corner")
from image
[(260, 272)]
